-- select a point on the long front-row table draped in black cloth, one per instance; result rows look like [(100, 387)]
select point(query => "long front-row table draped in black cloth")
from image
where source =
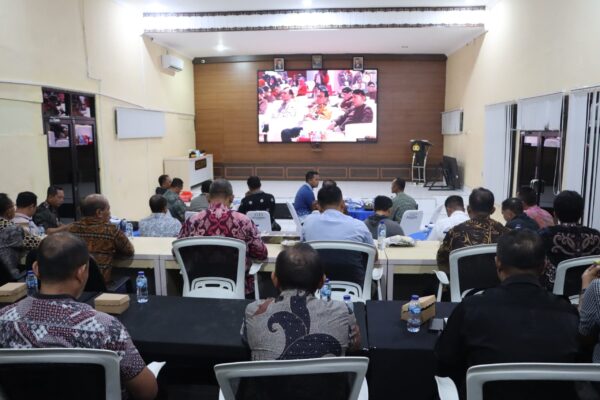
[(193, 334)]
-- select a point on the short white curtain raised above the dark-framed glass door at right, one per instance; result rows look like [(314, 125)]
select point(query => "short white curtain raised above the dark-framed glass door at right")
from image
[(540, 113)]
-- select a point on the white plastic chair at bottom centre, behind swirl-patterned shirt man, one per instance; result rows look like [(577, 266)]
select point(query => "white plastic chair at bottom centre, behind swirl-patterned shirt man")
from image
[(355, 367)]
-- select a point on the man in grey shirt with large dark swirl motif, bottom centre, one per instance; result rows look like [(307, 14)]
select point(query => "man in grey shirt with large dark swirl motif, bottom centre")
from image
[(307, 327)]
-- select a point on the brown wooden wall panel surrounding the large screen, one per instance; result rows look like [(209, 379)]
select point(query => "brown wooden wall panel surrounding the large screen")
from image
[(411, 98)]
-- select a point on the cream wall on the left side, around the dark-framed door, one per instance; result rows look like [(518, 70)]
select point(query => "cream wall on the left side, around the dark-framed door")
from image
[(92, 46)]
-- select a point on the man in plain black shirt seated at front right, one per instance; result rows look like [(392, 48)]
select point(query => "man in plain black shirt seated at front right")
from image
[(518, 321)]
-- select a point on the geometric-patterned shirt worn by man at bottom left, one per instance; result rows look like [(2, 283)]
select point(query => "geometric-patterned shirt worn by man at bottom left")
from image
[(61, 321)]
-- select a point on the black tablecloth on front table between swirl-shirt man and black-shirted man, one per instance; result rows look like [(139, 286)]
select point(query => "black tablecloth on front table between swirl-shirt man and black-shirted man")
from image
[(401, 364)]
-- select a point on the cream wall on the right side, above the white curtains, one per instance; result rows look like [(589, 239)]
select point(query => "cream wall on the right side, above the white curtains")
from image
[(532, 47)]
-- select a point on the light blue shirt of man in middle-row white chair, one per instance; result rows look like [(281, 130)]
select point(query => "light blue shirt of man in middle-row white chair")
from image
[(333, 225)]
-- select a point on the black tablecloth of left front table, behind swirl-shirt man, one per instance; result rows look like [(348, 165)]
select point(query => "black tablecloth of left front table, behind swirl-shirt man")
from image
[(192, 329)]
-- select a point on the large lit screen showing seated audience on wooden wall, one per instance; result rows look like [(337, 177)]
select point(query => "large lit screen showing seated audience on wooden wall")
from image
[(309, 106)]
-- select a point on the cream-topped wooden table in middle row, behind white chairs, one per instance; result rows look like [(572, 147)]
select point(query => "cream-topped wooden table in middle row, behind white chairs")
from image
[(156, 254)]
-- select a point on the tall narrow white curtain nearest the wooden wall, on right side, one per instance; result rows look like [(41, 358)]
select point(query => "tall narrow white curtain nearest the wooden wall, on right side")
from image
[(497, 158)]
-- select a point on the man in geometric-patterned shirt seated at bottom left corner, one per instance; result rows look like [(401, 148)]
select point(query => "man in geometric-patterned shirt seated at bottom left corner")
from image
[(54, 318)]
